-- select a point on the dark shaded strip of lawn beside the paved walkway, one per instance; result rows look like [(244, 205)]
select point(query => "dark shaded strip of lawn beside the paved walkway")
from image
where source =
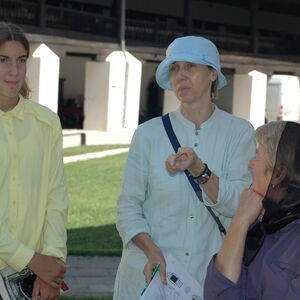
[(100, 240)]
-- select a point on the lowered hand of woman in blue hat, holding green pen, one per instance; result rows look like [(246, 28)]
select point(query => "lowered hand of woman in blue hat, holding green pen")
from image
[(153, 258)]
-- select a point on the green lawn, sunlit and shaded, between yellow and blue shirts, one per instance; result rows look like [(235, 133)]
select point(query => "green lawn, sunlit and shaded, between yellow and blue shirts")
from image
[(94, 186)]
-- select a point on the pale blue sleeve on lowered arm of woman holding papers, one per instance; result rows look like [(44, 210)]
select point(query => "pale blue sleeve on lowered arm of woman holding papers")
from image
[(130, 217)]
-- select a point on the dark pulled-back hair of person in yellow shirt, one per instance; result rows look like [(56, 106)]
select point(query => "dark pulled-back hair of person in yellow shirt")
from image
[(11, 32)]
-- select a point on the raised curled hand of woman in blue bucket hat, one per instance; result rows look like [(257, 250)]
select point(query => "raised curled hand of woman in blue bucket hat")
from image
[(185, 158)]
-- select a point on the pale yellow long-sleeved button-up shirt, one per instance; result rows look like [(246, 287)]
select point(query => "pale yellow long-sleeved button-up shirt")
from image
[(33, 196)]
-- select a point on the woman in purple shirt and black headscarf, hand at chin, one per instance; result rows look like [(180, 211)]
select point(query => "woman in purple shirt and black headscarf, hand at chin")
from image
[(262, 261)]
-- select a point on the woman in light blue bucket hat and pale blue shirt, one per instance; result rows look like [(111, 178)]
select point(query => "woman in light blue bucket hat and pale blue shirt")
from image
[(159, 213)]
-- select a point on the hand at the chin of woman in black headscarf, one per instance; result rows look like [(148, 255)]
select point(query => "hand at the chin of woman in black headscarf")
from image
[(250, 207)]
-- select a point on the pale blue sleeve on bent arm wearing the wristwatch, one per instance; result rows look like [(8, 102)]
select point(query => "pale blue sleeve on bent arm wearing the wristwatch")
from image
[(237, 175)]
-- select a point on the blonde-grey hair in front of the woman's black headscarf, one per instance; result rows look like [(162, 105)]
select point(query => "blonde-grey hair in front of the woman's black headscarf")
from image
[(269, 136)]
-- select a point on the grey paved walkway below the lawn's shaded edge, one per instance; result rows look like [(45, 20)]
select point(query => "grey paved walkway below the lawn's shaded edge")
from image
[(91, 276)]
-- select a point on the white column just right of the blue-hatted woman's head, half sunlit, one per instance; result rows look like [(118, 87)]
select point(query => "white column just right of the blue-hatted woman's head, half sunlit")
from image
[(249, 97)]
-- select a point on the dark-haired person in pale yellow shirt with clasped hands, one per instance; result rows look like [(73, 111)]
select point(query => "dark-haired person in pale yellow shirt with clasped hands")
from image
[(34, 201)]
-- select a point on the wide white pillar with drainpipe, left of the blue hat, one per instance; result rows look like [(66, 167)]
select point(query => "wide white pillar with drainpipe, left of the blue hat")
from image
[(112, 91)]
